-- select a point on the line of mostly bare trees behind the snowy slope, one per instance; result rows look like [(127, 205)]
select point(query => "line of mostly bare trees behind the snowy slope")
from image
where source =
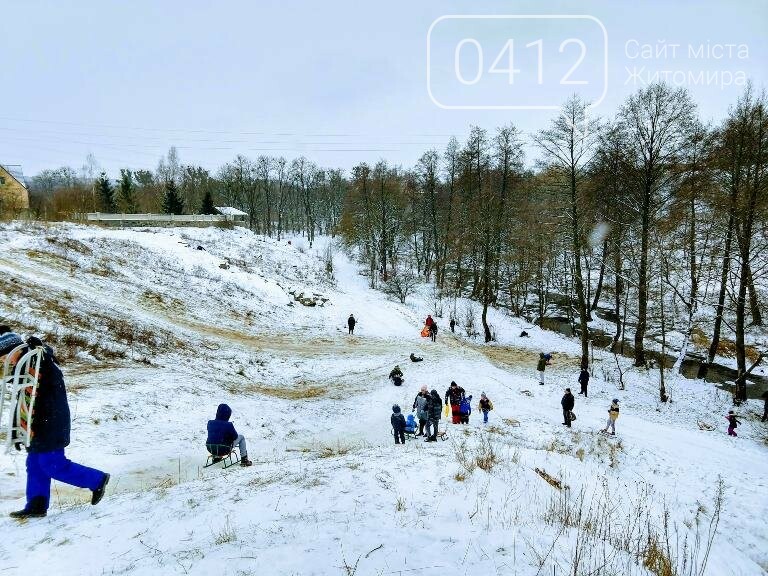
[(652, 218)]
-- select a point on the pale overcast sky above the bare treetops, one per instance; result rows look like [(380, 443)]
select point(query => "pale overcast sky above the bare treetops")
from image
[(339, 81)]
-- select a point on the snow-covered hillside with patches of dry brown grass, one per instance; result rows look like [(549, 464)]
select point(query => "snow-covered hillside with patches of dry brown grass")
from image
[(156, 333)]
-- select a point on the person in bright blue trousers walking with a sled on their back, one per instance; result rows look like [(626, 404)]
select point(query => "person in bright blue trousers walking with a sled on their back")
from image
[(50, 433)]
